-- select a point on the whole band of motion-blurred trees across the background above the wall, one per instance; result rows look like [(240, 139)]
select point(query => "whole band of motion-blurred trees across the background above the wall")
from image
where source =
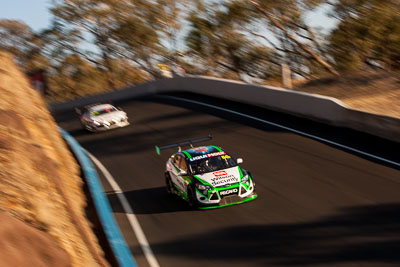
[(97, 45)]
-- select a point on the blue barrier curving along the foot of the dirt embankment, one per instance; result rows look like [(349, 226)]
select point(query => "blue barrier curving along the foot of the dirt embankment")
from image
[(110, 227)]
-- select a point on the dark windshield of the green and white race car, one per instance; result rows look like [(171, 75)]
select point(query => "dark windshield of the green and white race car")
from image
[(211, 164)]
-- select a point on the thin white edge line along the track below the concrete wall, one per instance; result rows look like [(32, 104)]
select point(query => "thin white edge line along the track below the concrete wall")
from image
[(288, 129)]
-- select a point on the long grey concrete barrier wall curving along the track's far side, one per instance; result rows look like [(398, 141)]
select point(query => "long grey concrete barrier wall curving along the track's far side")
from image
[(320, 108)]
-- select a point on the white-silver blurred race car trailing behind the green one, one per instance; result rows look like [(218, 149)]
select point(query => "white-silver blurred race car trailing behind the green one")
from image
[(102, 117)]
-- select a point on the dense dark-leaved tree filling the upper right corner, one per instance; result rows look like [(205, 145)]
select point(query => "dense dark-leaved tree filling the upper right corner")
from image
[(368, 34)]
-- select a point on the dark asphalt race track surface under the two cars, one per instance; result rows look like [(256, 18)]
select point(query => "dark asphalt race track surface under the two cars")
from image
[(318, 205)]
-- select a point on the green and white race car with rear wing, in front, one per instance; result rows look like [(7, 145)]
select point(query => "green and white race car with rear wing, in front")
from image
[(207, 176)]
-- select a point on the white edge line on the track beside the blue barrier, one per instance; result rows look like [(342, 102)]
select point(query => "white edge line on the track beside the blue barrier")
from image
[(144, 244)]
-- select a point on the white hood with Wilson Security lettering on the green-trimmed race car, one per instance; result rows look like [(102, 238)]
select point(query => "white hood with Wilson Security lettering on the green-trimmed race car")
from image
[(221, 177)]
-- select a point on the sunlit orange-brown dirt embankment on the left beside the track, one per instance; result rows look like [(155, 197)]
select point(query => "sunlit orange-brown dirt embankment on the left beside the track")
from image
[(42, 218)]
